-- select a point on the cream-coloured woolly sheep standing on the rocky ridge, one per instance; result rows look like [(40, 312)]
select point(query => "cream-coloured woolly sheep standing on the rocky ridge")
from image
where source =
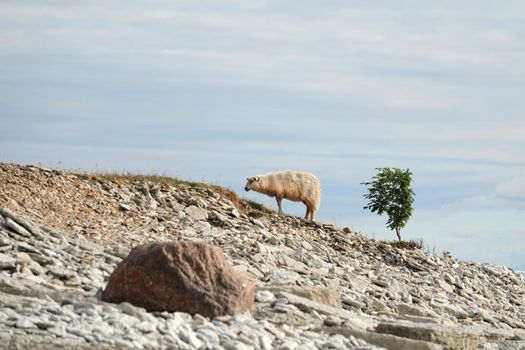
[(295, 186)]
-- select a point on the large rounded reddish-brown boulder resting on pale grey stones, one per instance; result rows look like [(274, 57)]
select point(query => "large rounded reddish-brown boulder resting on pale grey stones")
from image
[(185, 276)]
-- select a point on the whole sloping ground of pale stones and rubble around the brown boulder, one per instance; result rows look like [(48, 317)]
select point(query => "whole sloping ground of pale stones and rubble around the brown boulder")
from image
[(318, 286)]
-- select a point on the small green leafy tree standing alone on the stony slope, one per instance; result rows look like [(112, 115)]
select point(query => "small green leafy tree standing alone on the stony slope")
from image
[(390, 193)]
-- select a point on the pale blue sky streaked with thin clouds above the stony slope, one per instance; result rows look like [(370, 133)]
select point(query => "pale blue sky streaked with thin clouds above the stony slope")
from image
[(217, 91)]
